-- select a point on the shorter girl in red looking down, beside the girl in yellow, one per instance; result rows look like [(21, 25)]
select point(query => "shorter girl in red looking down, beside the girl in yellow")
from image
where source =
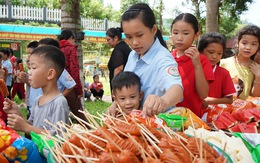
[(221, 91)]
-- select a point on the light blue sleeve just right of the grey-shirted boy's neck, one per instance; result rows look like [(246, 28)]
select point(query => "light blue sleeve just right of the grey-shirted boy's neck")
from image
[(65, 81)]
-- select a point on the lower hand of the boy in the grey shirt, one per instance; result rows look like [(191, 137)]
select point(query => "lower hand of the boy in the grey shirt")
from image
[(16, 122)]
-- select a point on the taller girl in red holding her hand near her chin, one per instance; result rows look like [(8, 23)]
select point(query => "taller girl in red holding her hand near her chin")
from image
[(194, 68)]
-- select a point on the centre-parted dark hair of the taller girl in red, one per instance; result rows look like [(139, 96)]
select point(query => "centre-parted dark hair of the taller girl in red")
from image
[(188, 18)]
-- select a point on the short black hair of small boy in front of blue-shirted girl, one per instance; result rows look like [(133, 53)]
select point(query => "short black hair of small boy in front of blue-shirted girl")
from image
[(125, 79)]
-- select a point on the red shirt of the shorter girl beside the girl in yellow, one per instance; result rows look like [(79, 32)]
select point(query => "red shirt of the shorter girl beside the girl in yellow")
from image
[(222, 85)]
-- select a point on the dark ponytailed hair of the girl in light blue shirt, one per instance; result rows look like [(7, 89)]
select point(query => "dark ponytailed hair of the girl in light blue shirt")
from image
[(145, 14)]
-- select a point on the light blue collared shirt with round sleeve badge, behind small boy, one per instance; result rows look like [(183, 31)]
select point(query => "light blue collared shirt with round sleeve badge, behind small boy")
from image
[(157, 70)]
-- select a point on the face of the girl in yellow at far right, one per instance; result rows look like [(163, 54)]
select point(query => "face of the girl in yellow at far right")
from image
[(248, 46)]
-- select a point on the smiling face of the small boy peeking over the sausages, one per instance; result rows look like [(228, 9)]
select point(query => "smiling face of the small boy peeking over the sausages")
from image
[(128, 98)]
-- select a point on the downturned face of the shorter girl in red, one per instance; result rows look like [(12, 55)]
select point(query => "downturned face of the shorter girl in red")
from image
[(214, 52)]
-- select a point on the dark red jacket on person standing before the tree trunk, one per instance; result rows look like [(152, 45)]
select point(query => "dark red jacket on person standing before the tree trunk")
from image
[(72, 64)]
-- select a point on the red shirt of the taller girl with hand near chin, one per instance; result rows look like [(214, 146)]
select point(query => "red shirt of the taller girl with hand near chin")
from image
[(186, 69)]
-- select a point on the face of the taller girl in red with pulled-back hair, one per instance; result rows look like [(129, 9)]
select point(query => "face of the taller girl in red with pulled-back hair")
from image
[(183, 35)]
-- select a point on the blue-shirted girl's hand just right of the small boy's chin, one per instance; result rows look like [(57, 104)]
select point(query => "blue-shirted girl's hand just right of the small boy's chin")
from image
[(153, 105)]
